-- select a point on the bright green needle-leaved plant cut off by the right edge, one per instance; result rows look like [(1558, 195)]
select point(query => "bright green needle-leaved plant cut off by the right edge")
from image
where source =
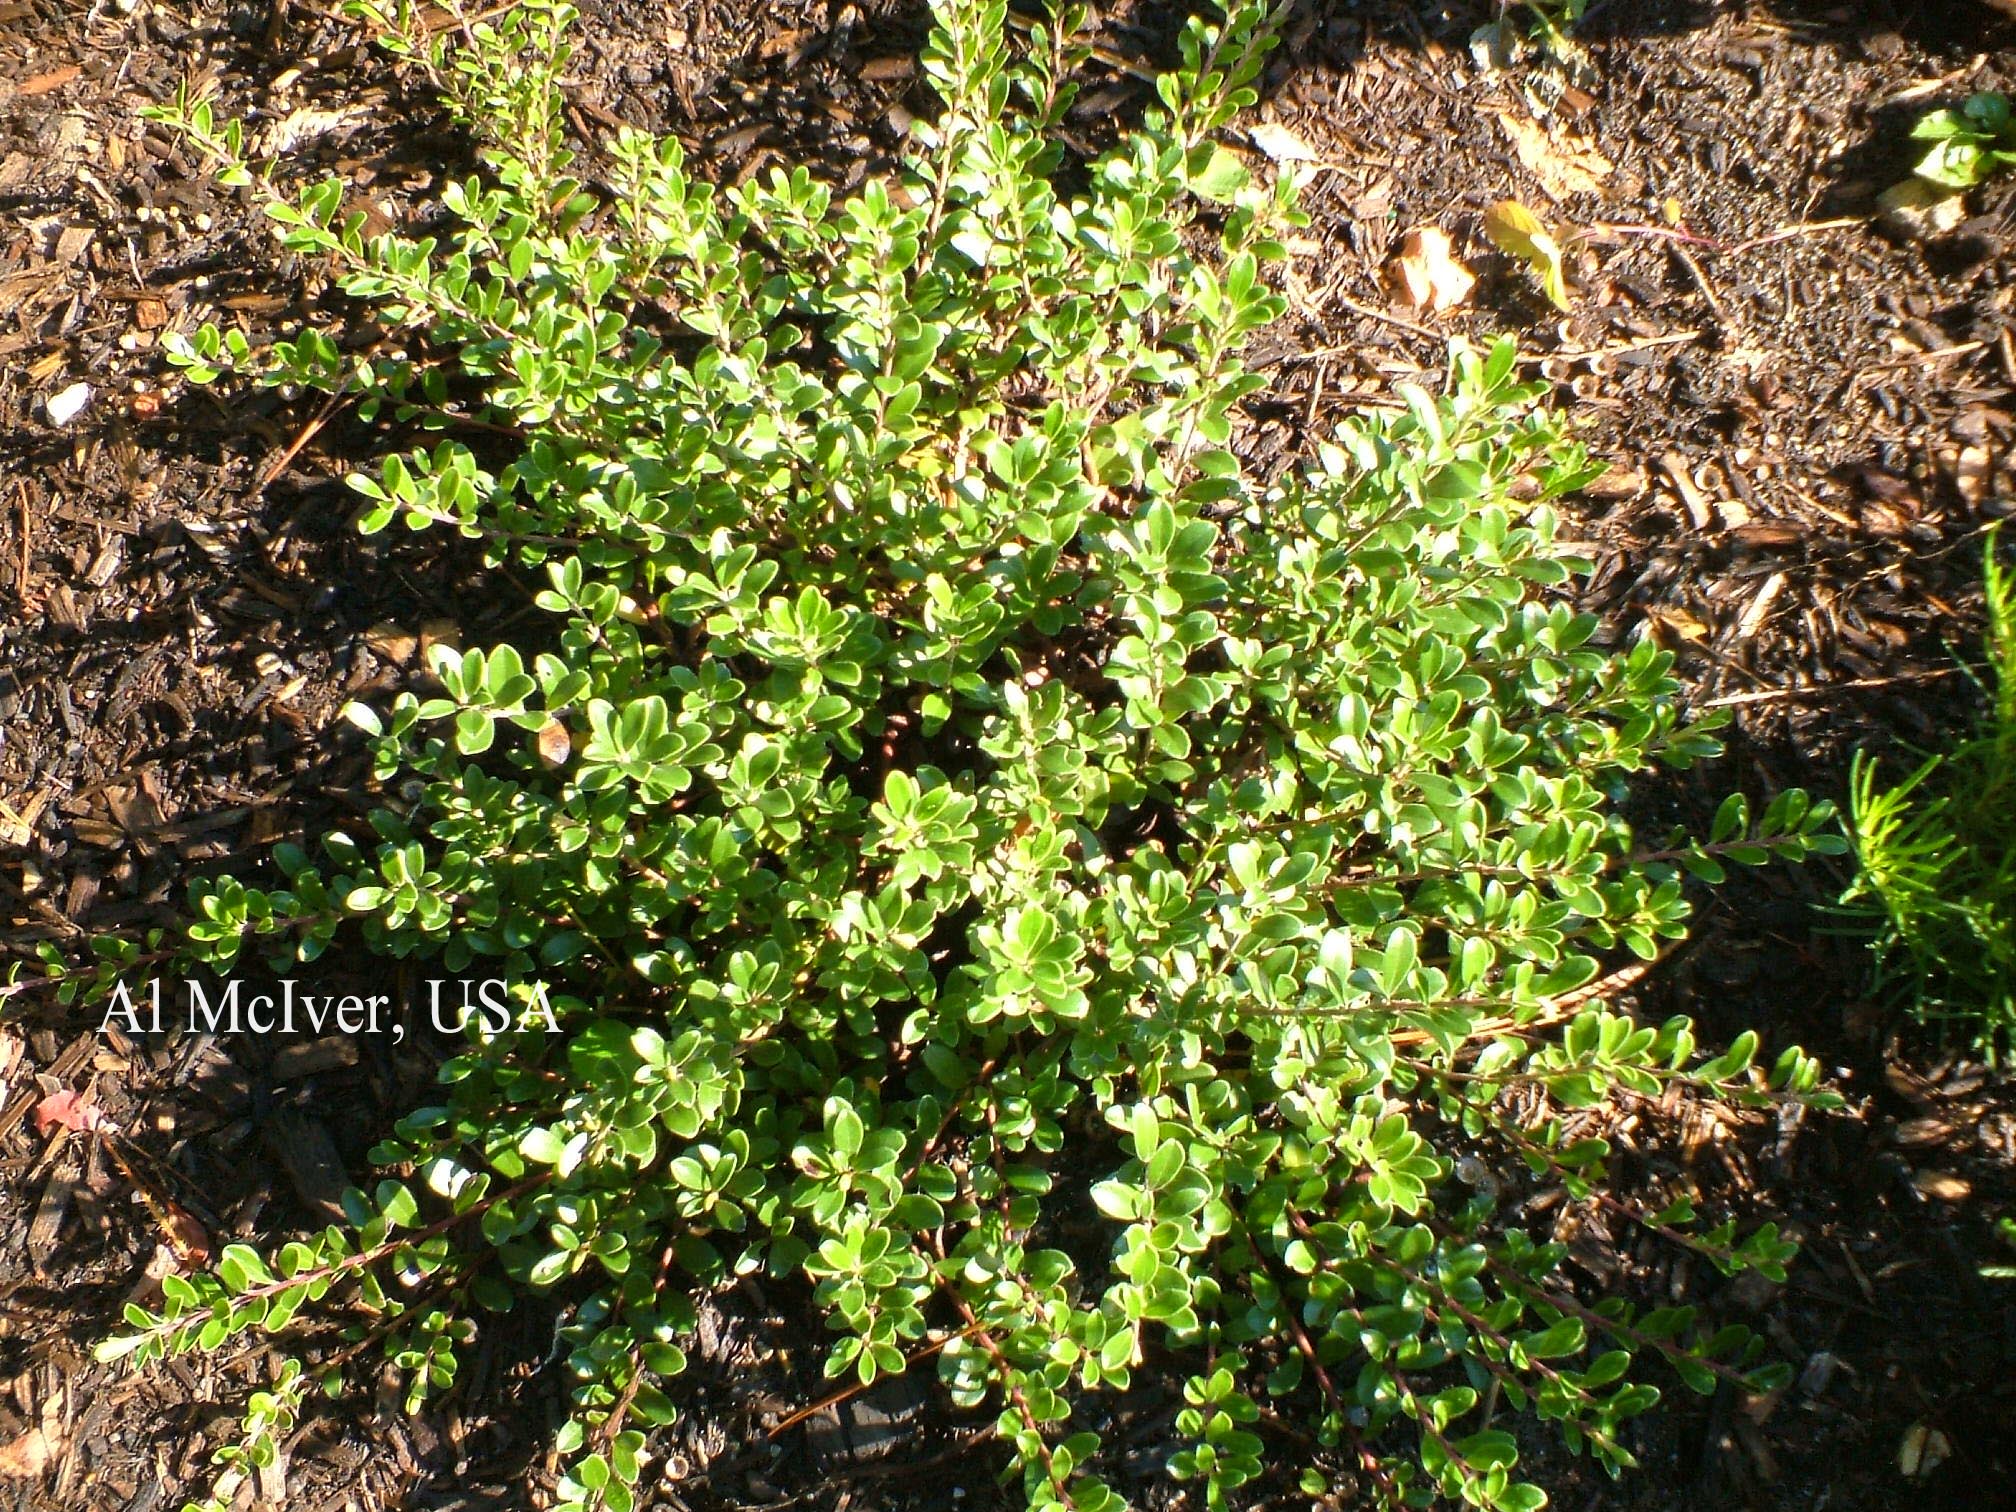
[(1936, 858)]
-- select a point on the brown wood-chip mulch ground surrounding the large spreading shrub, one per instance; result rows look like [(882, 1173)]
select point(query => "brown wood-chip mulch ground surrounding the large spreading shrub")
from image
[(1811, 424)]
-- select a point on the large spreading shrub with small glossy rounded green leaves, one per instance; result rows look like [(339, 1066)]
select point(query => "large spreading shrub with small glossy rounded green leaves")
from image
[(961, 809)]
